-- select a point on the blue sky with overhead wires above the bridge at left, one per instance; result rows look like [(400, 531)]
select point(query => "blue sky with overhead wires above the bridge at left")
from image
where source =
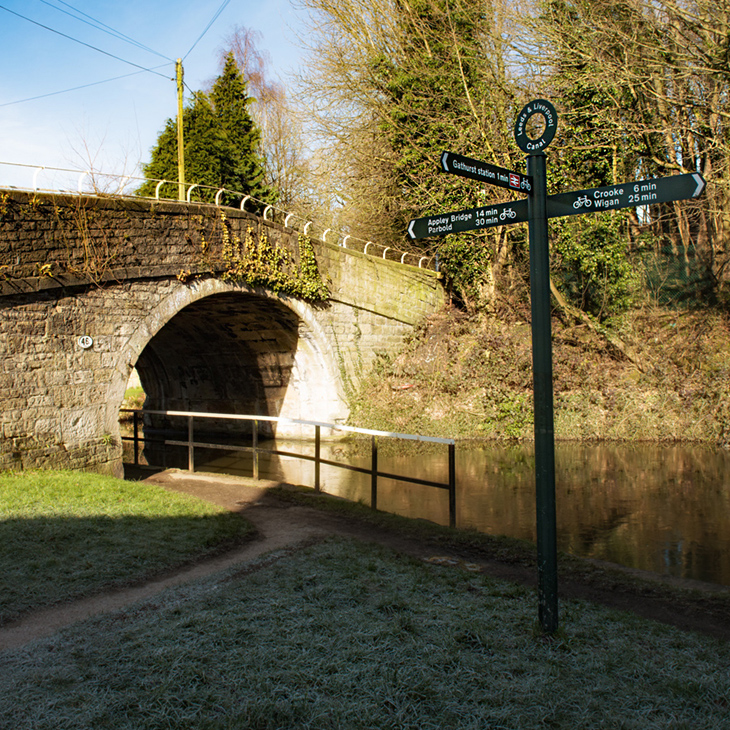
[(113, 125)]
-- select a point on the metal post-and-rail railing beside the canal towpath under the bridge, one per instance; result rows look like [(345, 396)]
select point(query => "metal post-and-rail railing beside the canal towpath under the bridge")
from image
[(256, 450)]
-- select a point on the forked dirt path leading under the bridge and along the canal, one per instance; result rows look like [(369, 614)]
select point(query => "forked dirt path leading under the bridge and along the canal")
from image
[(281, 525)]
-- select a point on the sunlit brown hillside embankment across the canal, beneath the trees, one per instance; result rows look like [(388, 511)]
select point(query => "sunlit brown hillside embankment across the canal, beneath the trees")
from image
[(655, 375)]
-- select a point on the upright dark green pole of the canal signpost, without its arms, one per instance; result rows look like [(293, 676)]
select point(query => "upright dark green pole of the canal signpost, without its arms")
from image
[(543, 395)]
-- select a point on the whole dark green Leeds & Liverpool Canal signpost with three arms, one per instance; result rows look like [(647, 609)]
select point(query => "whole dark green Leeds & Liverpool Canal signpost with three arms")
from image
[(536, 211)]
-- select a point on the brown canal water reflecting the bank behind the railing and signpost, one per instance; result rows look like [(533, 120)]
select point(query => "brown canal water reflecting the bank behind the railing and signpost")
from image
[(661, 508)]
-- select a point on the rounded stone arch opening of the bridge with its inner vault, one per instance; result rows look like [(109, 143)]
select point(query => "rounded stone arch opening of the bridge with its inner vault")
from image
[(220, 347)]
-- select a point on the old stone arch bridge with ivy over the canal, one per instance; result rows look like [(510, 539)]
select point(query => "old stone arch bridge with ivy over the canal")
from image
[(93, 287)]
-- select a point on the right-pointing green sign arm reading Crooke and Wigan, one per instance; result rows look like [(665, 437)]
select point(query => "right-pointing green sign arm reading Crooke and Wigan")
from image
[(626, 195)]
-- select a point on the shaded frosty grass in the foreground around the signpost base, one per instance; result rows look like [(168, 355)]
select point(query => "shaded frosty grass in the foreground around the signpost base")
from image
[(346, 635)]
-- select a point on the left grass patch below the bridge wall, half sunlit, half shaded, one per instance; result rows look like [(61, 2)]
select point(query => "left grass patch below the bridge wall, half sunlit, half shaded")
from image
[(64, 535)]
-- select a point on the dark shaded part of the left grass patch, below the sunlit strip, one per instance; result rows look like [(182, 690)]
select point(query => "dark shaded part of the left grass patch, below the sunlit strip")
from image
[(52, 559)]
